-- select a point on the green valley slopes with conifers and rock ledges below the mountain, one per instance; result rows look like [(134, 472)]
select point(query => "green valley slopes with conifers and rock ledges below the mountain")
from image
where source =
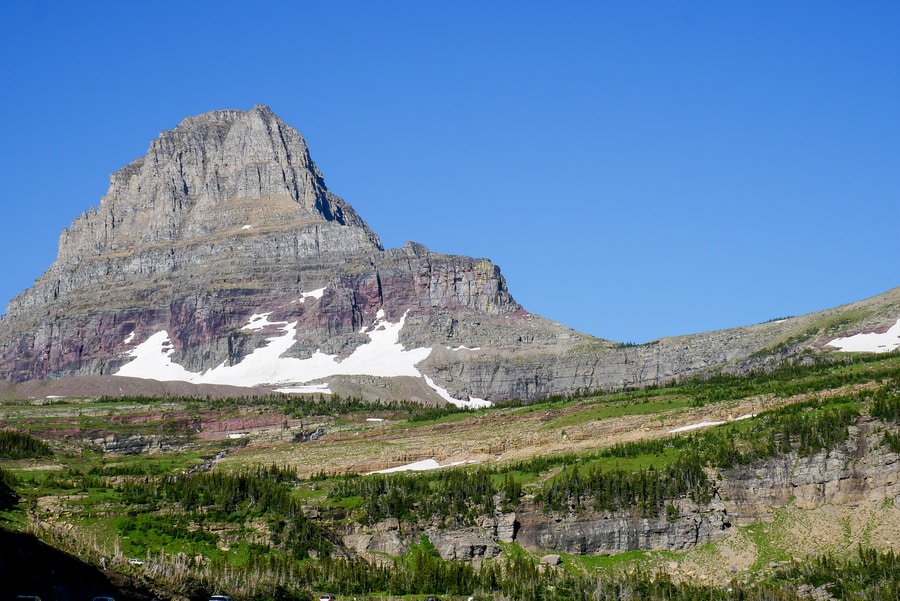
[(185, 496)]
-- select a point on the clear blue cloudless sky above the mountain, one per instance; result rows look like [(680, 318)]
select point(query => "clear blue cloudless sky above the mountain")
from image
[(636, 169)]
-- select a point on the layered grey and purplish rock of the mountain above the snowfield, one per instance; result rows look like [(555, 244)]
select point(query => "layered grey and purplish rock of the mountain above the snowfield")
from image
[(226, 216)]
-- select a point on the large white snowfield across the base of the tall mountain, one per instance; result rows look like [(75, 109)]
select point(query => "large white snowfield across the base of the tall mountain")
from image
[(382, 356)]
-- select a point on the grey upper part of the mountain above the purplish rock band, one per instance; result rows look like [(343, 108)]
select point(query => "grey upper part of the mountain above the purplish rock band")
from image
[(218, 193)]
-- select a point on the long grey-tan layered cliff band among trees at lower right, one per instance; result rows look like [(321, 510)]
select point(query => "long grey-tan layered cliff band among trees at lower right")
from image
[(861, 470)]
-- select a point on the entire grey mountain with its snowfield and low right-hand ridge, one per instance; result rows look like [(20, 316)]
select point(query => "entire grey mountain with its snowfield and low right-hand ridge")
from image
[(221, 258)]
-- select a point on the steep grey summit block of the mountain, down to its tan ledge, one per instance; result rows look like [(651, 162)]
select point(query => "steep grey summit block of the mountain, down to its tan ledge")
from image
[(214, 173)]
